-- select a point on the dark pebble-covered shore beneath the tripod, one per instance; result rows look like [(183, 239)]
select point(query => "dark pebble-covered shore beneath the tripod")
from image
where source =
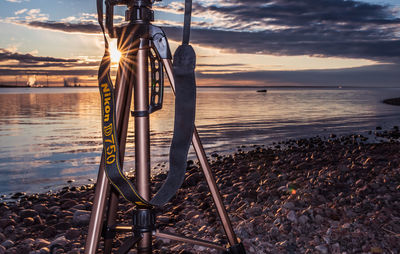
[(301, 196)]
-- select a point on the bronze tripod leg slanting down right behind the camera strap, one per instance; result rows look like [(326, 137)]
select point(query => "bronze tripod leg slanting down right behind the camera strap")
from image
[(201, 155)]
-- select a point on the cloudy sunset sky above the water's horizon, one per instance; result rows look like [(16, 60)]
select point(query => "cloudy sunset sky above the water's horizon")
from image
[(238, 42)]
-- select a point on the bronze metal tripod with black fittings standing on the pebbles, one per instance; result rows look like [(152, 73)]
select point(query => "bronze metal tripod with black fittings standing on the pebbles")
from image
[(141, 45)]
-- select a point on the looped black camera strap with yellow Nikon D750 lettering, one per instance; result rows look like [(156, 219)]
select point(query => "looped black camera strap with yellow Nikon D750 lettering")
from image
[(185, 91)]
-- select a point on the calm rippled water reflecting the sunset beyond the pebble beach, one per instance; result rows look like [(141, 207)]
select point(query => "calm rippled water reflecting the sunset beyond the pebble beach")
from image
[(51, 135)]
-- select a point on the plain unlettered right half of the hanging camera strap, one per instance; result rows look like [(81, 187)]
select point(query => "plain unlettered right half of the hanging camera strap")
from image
[(184, 63)]
